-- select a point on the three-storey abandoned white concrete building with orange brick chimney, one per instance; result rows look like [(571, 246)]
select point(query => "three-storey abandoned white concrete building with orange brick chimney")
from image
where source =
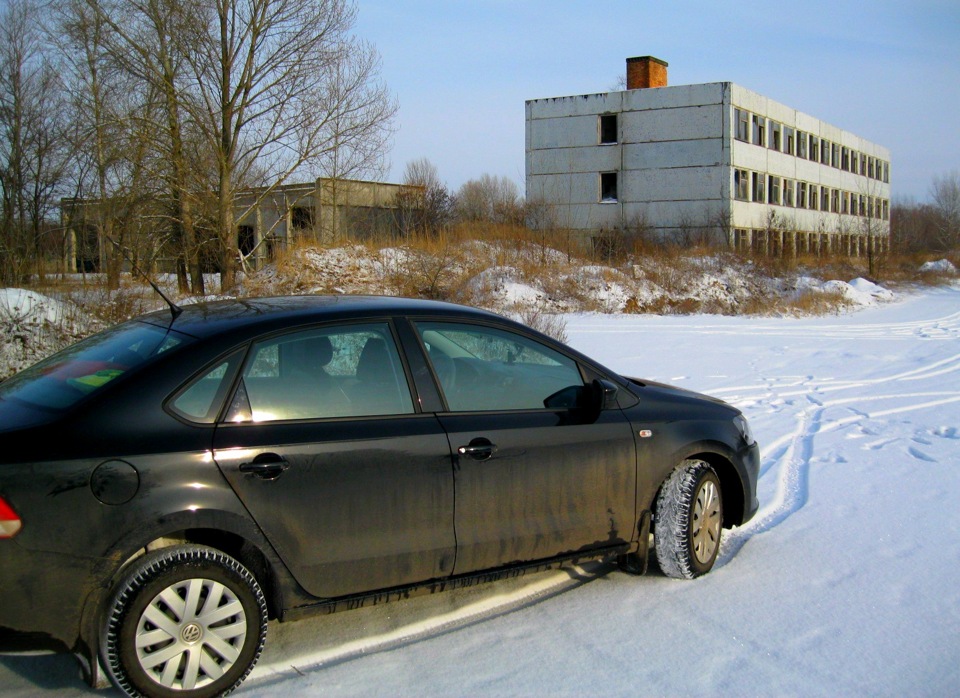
[(711, 160)]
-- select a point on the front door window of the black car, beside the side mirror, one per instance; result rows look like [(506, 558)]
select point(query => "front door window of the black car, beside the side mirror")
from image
[(484, 368)]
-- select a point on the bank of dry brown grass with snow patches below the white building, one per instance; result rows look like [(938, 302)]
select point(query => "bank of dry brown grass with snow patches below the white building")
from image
[(472, 263)]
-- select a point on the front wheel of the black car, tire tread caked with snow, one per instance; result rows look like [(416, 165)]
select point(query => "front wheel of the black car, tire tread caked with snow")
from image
[(689, 519)]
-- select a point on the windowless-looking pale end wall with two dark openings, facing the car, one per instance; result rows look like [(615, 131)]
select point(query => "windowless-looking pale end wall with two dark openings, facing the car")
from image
[(669, 155)]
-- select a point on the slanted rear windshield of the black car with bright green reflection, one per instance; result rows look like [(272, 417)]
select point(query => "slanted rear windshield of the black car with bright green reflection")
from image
[(82, 369)]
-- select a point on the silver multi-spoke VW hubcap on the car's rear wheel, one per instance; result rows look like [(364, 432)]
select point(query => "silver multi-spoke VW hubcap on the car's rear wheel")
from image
[(190, 634)]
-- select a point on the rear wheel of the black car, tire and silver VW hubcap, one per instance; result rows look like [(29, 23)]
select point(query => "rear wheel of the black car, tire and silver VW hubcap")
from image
[(186, 621)]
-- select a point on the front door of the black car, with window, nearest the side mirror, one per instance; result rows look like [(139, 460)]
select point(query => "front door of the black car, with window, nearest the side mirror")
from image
[(537, 475)]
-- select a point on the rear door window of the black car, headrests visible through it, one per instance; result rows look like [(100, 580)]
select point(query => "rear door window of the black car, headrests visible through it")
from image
[(347, 371)]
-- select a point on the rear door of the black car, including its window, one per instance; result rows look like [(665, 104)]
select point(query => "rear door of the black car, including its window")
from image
[(322, 443)]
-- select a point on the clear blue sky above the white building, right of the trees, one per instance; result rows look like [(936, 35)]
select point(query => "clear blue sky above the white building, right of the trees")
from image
[(461, 70)]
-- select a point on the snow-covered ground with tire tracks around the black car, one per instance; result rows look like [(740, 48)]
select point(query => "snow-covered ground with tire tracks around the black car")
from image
[(843, 584)]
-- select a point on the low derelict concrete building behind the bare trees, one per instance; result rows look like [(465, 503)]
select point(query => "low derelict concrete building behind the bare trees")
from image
[(268, 220)]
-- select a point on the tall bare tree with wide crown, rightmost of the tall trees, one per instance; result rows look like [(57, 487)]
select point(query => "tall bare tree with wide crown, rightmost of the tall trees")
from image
[(282, 87)]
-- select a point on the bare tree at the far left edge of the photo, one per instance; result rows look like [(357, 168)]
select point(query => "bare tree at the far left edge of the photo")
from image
[(33, 155)]
